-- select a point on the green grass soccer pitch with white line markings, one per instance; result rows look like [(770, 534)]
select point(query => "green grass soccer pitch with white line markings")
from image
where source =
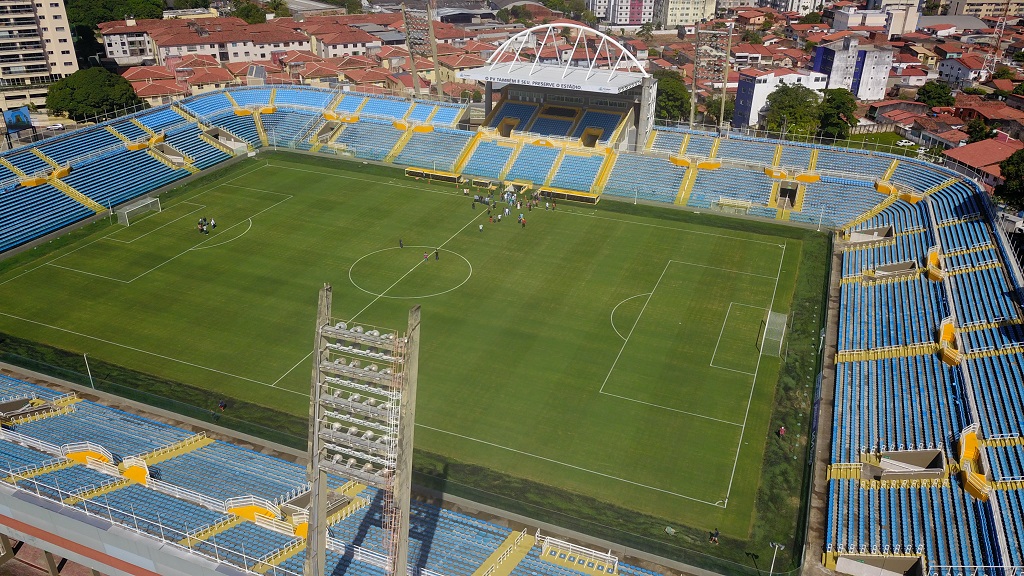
[(610, 355)]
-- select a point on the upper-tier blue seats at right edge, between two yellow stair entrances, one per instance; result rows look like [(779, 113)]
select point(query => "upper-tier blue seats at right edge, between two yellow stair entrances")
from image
[(1000, 385)]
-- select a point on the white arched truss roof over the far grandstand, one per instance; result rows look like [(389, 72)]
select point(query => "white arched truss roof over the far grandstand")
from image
[(590, 61)]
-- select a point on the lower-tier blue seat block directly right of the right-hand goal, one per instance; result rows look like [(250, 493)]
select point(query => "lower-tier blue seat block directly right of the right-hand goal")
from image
[(889, 315)]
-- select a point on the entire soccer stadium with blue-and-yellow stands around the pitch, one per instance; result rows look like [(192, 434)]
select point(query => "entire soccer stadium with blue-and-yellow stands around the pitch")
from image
[(679, 331)]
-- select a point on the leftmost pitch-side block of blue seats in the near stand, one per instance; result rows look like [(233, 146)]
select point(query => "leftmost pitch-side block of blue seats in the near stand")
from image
[(122, 434)]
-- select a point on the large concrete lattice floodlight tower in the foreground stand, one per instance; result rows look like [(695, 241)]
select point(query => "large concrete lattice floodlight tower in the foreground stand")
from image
[(363, 413)]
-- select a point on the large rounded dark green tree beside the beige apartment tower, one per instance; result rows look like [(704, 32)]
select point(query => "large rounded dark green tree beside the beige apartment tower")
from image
[(91, 93)]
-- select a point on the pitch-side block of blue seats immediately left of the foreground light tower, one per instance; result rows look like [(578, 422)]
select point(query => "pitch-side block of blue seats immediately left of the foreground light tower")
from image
[(223, 471)]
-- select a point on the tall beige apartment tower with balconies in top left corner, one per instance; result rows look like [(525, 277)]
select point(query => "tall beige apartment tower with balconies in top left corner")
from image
[(35, 37)]
